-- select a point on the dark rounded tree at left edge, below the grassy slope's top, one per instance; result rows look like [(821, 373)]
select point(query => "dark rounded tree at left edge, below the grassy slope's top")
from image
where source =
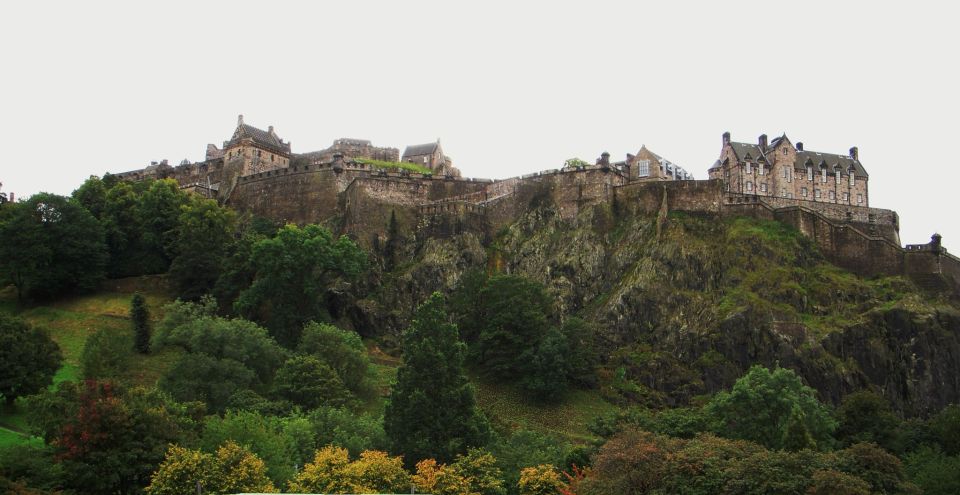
[(28, 358)]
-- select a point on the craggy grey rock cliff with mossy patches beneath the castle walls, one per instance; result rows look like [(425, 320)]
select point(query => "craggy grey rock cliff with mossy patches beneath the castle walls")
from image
[(686, 303)]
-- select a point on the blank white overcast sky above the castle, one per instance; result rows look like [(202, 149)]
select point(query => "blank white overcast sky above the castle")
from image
[(509, 87)]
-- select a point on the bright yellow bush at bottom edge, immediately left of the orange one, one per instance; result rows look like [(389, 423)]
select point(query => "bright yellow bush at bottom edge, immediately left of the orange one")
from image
[(332, 472)]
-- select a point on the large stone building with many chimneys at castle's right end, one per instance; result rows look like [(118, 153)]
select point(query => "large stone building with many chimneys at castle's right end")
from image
[(781, 169)]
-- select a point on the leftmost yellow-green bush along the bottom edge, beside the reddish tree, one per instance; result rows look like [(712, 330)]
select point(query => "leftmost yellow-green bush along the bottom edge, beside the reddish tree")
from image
[(232, 469)]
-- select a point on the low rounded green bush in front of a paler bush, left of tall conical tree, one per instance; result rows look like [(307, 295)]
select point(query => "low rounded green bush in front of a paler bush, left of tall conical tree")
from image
[(309, 382)]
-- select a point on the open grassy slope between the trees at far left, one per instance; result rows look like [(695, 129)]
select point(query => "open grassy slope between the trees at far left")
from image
[(69, 322)]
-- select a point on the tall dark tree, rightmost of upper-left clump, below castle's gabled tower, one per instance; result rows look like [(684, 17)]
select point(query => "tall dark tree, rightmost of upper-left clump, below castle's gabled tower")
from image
[(203, 235)]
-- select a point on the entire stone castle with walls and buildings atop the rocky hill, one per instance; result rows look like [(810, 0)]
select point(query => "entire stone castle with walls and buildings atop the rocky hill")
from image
[(360, 187)]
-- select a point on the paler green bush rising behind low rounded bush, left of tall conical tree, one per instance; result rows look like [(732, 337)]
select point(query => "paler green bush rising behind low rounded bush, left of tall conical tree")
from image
[(343, 351)]
